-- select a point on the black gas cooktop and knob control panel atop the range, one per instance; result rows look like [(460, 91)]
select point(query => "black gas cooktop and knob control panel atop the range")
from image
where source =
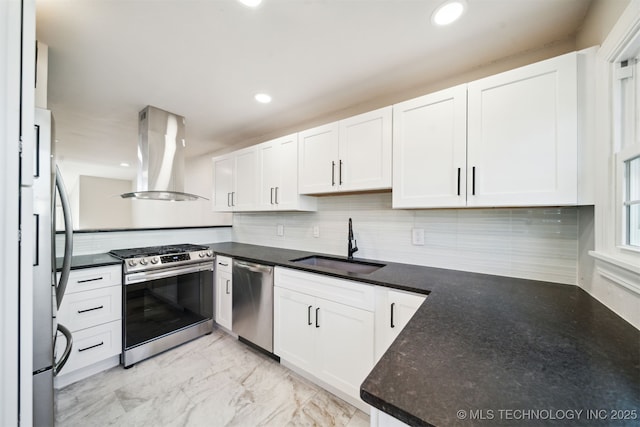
[(154, 257)]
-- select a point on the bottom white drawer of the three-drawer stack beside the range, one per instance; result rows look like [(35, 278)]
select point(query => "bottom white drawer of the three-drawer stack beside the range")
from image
[(91, 345)]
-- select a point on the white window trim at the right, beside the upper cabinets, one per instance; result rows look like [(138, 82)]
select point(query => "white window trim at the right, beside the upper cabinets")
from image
[(608, 222)]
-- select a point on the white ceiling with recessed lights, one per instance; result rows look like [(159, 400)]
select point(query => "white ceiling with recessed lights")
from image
[(205, 59)]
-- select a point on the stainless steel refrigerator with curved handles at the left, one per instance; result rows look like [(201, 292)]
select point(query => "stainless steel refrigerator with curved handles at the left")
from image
[(47, 289)]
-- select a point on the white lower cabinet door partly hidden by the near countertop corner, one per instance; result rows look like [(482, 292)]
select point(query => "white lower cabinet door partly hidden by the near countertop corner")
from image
[(394, 309)]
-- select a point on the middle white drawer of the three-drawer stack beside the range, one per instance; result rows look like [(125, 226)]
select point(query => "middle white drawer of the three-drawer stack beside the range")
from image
[(83, 310)]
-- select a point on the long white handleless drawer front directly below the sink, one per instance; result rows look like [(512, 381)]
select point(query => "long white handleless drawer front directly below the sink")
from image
[(354, 294)]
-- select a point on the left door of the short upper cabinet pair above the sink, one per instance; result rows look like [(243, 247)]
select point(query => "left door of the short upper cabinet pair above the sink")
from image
[(318, 159)]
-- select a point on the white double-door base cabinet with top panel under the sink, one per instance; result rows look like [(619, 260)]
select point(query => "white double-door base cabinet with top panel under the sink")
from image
[(324, 327)]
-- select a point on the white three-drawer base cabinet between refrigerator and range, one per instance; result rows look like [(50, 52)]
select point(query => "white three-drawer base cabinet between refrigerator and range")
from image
[(92, 310)]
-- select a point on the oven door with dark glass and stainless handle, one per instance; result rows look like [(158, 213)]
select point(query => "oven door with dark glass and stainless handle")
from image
[(161, 302)]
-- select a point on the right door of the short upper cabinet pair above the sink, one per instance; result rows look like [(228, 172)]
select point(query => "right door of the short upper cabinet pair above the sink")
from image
[(365, 151)]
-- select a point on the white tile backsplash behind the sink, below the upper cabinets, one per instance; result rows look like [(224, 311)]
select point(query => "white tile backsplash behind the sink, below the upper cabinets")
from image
[(532, 243)]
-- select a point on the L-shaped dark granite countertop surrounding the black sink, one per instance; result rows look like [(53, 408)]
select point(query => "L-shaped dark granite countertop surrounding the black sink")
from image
[(500, 350)]
